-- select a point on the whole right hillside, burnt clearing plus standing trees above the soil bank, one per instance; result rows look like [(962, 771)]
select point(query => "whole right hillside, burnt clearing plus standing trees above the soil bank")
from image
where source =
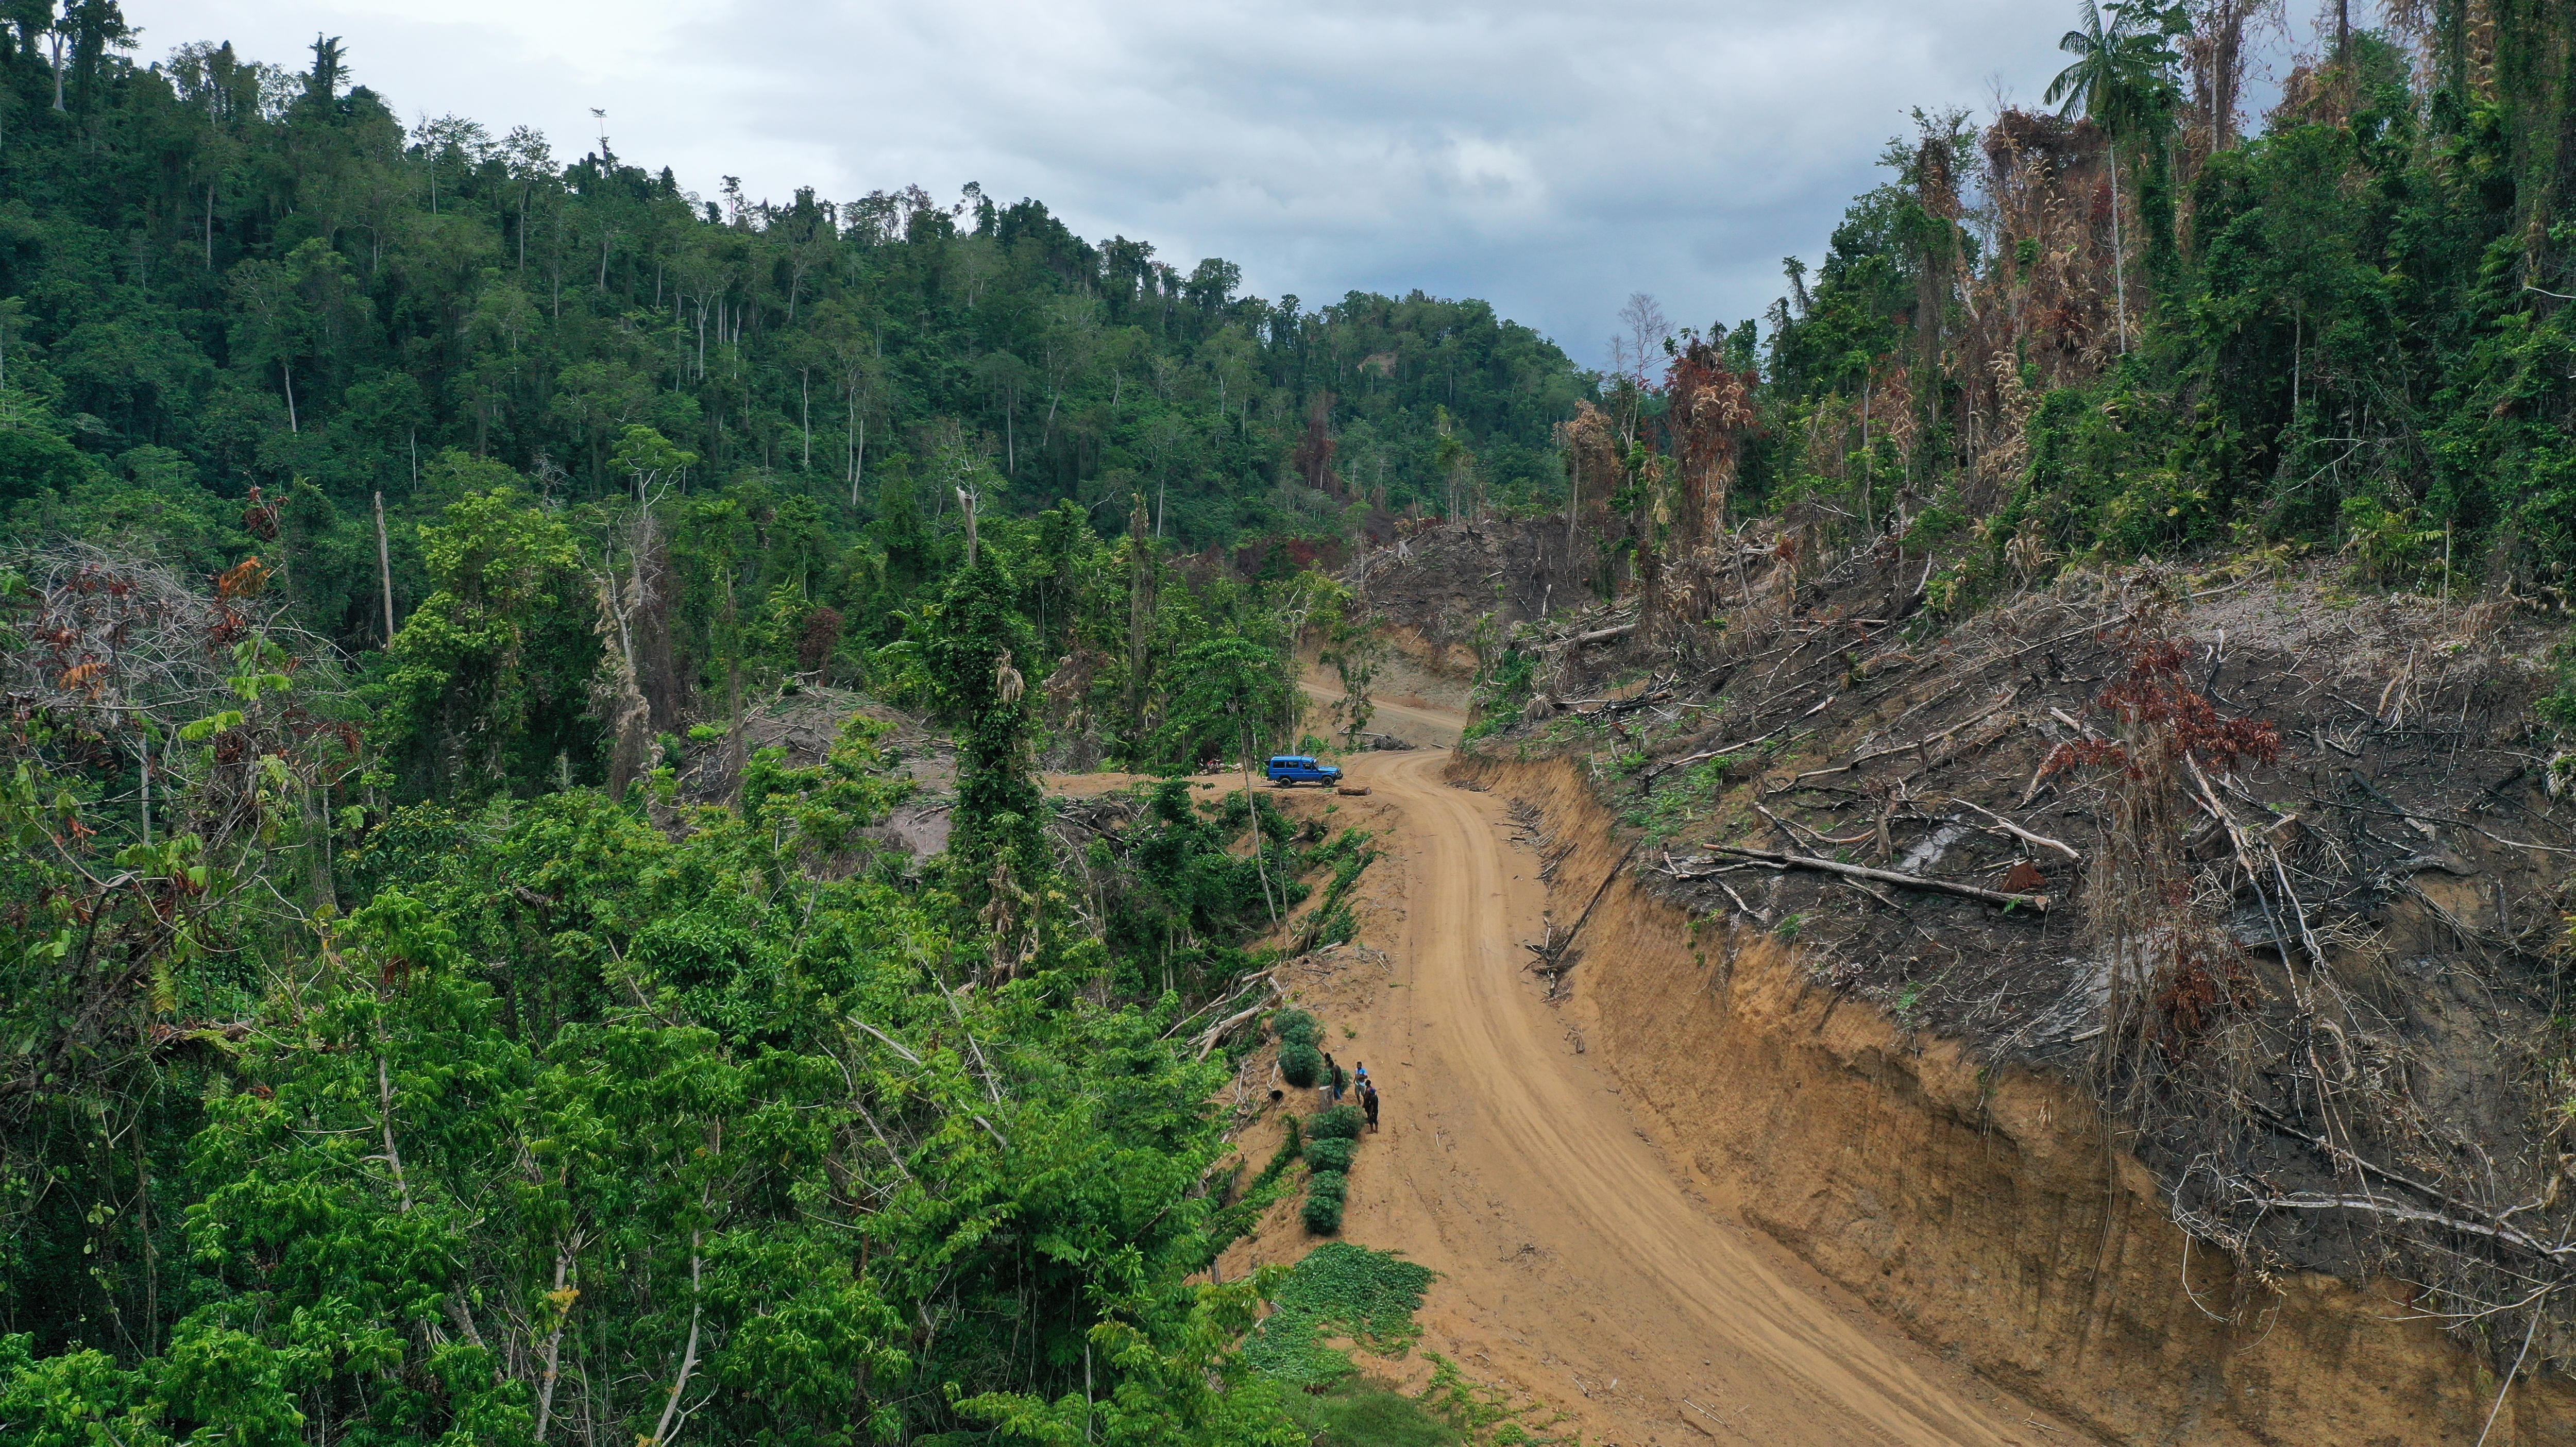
[(2111, 622)]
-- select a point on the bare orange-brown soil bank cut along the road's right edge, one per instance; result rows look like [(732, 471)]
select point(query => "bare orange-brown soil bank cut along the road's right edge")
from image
[(1985, 1214)]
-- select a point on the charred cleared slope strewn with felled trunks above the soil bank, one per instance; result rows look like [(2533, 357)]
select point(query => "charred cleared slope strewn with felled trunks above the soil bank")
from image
[(2320, 987)]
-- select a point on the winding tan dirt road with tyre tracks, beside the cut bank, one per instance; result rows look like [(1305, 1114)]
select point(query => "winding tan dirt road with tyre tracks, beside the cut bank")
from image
[(1575, 1265)]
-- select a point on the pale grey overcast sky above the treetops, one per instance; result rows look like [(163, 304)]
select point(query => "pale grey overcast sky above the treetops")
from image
[(1544, 156)]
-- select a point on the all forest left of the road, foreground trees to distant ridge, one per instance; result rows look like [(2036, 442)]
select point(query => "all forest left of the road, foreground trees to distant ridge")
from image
[(429, 1013)]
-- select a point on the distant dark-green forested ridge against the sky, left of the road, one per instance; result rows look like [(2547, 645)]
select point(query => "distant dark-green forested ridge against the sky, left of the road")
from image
[(225, 279)]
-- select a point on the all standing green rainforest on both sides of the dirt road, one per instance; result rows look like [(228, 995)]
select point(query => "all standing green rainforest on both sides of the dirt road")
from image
[(429, 1016)]
